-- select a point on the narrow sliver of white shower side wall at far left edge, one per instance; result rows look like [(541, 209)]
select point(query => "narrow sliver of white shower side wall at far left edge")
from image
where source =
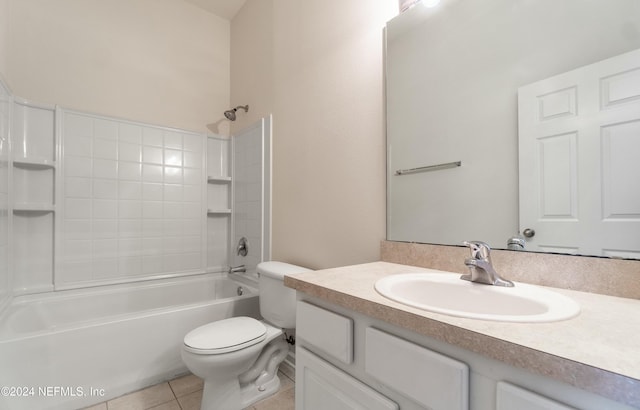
[(5, 115)]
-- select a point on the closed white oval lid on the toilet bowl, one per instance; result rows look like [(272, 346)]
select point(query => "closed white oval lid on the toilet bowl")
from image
[(225, 335)]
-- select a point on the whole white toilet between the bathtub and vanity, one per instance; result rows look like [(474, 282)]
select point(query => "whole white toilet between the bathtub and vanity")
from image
[(238, 358)]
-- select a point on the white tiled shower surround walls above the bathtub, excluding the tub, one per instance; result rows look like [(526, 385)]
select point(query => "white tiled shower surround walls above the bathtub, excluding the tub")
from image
[(88, 200)]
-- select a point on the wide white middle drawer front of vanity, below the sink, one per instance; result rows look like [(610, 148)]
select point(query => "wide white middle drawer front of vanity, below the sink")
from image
[(429, 378)]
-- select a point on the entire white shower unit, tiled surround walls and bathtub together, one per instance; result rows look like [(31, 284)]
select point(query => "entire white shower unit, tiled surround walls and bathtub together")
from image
[(94, 210)]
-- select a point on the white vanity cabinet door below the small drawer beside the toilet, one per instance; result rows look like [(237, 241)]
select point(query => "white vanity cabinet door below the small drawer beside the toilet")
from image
[(321, 386)]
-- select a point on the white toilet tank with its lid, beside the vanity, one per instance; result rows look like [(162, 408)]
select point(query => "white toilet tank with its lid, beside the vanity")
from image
[(277, 302)]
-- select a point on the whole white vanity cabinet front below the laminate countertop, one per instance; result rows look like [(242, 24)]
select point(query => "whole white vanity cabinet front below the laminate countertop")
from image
[(347, 360)]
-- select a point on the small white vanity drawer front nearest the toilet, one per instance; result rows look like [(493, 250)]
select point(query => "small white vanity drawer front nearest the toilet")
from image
[(326, 331)]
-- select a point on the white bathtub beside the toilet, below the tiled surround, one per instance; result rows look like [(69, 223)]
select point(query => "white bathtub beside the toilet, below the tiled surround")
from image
[(72, 349)]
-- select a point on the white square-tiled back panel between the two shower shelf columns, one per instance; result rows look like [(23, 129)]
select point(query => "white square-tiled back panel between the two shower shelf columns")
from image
[(132, 203)]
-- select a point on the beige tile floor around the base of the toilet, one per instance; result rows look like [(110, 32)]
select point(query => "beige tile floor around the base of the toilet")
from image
[(185, 393)]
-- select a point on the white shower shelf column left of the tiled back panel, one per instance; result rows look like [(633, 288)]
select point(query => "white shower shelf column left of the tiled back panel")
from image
[(33, 210)]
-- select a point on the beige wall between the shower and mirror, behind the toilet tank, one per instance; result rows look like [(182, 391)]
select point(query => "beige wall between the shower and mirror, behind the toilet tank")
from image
[(317, 66)]
